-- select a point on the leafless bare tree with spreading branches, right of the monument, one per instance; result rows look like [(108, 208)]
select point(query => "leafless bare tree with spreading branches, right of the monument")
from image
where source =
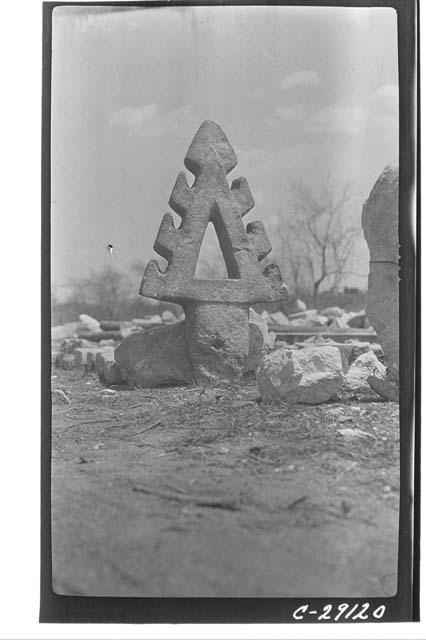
[(317, 242)]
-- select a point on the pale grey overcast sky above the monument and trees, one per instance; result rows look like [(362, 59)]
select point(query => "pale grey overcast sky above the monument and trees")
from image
[(298, 92)]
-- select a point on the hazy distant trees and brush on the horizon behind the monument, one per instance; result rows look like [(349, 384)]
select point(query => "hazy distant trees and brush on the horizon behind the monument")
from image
[(314, 249)]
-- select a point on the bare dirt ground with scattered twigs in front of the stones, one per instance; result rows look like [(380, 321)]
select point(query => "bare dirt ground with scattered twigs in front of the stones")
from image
[(193, 492)]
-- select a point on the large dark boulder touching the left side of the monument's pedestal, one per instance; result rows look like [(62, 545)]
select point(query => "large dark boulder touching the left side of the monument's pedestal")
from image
[(155, 357)]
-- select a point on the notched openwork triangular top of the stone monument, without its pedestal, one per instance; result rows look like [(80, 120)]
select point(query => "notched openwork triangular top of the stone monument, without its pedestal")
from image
[(210, 158)]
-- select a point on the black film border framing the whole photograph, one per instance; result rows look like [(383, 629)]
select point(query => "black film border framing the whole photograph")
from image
[(402, 607)]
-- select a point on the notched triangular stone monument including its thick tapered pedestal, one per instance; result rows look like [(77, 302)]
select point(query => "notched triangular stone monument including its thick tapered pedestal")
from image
[(216, 311)]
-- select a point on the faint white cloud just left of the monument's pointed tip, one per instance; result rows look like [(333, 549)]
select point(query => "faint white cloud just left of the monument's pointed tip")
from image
[(150, 120)]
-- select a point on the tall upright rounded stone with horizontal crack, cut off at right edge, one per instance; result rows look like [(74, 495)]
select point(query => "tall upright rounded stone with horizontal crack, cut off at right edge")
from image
[(380, 226)]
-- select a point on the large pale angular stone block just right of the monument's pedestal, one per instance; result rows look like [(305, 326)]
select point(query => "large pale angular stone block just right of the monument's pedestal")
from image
[(310, 376)]
